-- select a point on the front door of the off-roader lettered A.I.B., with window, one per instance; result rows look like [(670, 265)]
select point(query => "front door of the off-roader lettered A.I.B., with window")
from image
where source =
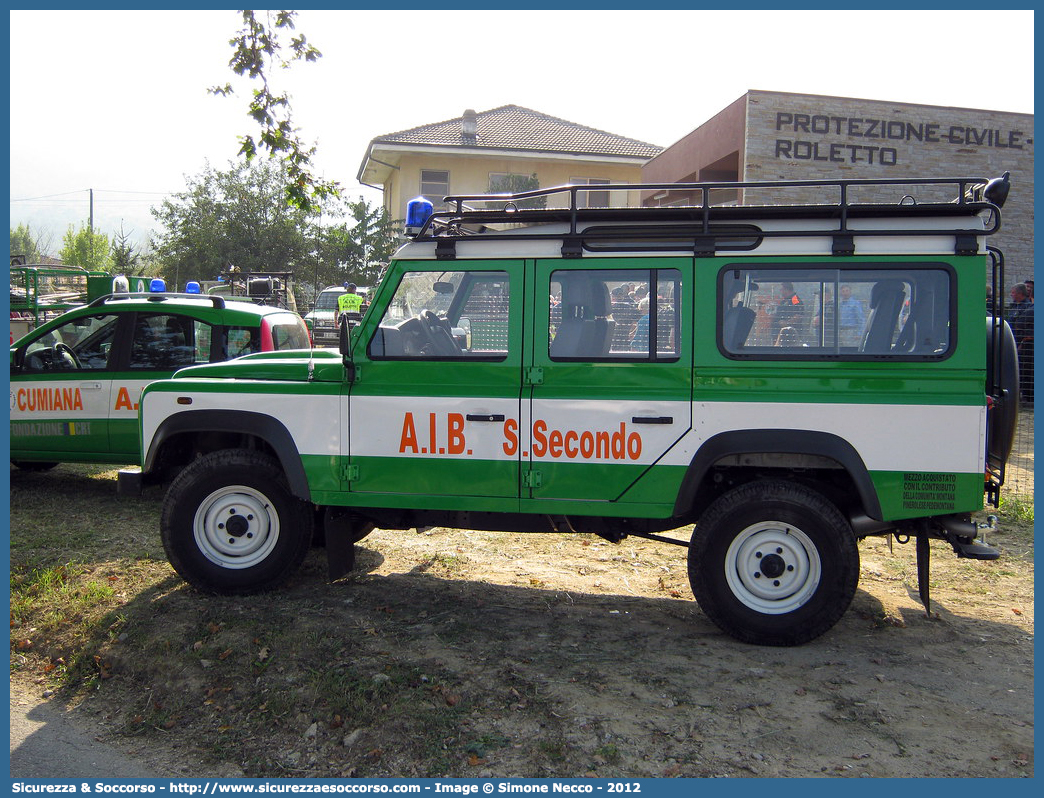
[(435, 407)]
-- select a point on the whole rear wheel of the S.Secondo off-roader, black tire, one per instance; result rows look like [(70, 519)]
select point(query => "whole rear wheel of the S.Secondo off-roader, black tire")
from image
[(774, 564)]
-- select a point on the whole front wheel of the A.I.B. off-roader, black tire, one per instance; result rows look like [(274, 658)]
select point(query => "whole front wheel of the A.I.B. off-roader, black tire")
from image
[(273, 528)]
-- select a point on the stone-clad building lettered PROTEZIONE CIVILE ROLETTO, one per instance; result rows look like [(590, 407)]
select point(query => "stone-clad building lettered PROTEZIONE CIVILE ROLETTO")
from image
[(770, 136)]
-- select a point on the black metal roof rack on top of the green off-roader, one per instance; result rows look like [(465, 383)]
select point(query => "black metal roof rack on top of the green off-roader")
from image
[(698, 226)]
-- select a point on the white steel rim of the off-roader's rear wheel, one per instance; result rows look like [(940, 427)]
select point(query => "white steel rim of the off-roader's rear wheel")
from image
[(773, 568)]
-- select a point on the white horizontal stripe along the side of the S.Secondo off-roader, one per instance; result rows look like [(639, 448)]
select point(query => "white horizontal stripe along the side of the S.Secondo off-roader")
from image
[(425, 427)]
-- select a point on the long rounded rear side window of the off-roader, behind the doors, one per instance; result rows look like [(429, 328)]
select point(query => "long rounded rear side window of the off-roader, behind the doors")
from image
[(811, 313)]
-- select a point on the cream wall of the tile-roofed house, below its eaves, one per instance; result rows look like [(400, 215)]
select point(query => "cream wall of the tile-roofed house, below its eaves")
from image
[(470, 175)]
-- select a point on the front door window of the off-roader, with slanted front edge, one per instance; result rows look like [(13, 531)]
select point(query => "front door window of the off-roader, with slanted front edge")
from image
[(447, 316)]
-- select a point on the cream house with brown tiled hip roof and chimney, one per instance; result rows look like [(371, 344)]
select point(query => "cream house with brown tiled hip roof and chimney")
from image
[(508, 149)]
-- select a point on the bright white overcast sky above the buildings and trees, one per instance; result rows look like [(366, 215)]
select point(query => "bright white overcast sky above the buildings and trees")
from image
[(117, 102)]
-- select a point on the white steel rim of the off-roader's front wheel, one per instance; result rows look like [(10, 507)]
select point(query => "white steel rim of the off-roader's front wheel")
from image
[(236, 527)]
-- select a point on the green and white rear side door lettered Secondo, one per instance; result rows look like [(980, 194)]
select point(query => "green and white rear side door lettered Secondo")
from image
[(610, 378)]
